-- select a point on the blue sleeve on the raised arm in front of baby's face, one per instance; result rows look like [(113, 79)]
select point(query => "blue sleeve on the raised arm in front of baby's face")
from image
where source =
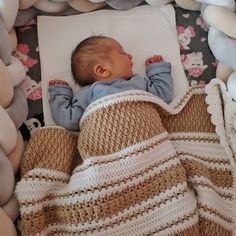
[(160, 80)]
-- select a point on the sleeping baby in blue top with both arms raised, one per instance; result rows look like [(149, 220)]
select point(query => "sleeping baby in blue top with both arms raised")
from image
[(101, 66)]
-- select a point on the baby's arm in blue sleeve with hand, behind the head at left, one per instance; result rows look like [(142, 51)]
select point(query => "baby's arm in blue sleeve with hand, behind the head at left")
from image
[(65, 108)]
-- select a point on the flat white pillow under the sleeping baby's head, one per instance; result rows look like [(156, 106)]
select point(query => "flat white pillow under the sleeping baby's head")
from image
[(142, 31)]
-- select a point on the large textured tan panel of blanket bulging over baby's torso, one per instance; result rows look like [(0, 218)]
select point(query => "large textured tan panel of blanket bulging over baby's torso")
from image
[(104, 132)]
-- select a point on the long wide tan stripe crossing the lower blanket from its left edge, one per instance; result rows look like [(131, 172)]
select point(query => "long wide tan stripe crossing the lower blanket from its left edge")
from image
[(107, 206)]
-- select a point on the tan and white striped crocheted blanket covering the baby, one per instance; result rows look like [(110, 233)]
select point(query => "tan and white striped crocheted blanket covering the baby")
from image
[(148, 169)]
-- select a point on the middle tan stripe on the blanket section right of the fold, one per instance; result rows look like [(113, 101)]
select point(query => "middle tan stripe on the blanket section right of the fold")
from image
[(220, 178)]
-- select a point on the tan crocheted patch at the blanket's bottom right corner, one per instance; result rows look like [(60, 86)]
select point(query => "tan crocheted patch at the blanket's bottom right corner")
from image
[(210, 228)]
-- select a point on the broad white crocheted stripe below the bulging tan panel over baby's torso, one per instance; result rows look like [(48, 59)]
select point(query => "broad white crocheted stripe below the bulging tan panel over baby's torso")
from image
[(124, 168)]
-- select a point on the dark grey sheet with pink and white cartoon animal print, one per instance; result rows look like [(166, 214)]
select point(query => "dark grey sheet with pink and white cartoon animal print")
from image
[(195, 48)]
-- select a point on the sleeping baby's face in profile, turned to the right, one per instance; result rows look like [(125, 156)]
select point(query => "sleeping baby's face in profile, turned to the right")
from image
[(121, 62)]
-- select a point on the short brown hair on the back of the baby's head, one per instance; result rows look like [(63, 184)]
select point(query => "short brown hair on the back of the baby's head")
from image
[(86, 54)]
